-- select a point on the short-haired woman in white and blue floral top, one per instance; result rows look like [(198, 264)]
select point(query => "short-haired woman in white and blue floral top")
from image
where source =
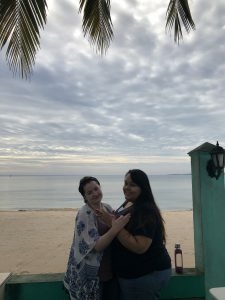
[(89, 275)]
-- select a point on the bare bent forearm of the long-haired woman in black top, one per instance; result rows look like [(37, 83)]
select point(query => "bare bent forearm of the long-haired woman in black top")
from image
[(135, 243)]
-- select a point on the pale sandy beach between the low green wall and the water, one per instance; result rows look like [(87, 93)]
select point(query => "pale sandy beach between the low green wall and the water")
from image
[(35, 242)]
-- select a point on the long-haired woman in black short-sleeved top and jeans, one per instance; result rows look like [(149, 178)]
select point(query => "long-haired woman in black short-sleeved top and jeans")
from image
[(140, 259)]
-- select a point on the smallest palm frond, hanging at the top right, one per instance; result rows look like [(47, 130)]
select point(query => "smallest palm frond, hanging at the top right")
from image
[(177, 11)]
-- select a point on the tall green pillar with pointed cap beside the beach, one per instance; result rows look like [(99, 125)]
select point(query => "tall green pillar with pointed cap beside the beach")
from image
[(209, 219)]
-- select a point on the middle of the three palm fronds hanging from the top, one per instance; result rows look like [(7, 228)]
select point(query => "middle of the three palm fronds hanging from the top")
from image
[(97, 23)]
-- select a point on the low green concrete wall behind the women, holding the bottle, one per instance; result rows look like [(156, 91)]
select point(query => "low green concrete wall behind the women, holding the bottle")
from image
[(188, 285)]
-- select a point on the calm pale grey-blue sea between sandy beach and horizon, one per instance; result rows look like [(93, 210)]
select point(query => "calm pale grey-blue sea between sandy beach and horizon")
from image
[(171, 192)]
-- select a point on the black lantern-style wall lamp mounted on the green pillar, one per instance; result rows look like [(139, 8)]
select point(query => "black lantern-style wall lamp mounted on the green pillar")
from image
[(216, 164)]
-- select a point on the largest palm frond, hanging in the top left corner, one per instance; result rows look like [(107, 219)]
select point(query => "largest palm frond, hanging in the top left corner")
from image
[(20, 21)]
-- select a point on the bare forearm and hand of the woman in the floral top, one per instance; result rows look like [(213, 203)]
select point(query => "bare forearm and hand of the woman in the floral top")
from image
[(116, 226)]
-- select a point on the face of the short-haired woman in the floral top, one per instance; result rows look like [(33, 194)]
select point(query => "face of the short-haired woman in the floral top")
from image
[(93, 194)]
